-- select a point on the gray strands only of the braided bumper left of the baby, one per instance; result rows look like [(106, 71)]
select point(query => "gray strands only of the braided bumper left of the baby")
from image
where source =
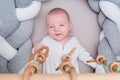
[(16, 33)]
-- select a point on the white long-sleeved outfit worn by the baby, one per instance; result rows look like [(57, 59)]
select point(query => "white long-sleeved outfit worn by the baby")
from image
[(56, 51)]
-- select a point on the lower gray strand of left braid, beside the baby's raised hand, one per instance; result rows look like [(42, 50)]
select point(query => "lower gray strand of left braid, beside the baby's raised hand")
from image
[(21, 59)]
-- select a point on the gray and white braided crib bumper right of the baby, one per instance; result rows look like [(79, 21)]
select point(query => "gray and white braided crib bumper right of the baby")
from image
[(109, 21)]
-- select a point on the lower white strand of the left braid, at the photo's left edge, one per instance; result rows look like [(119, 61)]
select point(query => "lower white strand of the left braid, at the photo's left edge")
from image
[(6, 50)]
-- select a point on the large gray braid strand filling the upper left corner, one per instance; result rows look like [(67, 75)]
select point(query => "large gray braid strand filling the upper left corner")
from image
[(8, 20)]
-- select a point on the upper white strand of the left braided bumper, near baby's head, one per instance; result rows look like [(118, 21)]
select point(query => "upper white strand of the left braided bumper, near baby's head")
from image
[(28, 12)]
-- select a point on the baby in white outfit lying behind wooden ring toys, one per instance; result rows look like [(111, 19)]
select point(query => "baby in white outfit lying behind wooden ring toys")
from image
[(61, 42)]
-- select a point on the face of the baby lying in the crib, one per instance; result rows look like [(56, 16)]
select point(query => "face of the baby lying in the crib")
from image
[(58, 26)]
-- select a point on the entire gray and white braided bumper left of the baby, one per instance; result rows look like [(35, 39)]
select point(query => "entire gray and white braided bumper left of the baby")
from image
[(15, 31)]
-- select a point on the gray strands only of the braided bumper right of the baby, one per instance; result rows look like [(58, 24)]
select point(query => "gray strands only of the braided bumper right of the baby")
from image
[(109, 46)]
